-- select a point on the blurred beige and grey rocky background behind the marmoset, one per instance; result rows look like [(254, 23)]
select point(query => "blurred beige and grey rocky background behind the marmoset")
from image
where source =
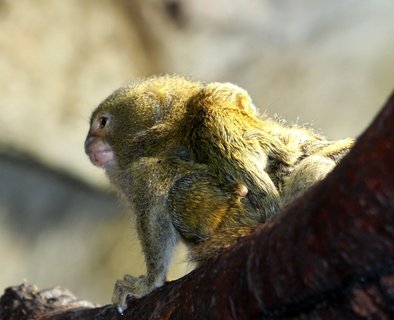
[(326, 63)]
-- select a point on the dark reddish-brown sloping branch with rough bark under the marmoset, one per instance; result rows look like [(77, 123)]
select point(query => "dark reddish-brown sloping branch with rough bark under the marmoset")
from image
[(329, 255)]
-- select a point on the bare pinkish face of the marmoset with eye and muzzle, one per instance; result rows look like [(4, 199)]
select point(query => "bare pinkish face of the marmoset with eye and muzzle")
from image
[(100, 152)]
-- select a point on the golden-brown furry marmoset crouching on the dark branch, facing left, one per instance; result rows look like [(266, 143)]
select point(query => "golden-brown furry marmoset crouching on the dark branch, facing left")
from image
[(195, 162)]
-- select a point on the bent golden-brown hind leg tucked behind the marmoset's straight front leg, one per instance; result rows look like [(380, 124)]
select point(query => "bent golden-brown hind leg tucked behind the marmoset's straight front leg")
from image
[(211, 215)]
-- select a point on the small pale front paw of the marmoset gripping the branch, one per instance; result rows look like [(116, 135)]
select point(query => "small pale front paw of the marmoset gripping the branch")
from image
[(129, 286)]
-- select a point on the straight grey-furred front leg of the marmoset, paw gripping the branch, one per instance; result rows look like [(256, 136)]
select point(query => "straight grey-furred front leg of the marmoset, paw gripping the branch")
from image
[(158, 238)]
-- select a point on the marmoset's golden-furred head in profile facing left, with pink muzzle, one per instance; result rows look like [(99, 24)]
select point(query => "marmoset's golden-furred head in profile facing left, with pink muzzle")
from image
[(131, 110)]
